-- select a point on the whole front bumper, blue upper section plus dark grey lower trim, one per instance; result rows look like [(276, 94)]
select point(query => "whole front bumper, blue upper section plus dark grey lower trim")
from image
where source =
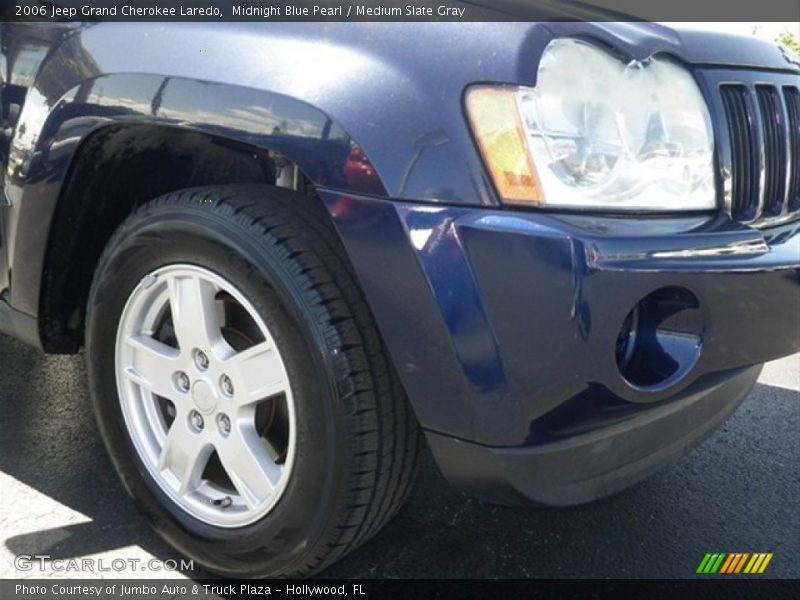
[(505, 330)]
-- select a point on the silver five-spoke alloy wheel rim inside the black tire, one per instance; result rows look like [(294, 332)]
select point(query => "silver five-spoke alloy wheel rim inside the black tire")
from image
[(205, 395)]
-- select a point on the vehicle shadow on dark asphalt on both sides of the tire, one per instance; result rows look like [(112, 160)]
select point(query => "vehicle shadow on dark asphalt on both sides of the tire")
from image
[(736, 492)]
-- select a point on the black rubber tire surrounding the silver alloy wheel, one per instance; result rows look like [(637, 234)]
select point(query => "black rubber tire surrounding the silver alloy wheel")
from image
[(357, 439)]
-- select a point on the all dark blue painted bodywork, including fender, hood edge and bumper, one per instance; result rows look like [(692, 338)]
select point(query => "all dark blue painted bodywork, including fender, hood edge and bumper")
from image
[(501, 323)]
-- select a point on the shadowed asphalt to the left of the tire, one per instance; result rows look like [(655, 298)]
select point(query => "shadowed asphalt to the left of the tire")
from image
[(49, 441)]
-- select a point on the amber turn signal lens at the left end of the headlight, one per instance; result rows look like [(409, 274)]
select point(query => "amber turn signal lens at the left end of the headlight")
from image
[(496, 123)]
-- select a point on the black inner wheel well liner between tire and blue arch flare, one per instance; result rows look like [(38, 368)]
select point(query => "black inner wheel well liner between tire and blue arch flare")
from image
[(102, 187)]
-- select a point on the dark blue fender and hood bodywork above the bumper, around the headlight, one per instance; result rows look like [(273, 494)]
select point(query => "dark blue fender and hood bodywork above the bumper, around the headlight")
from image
[(277, 87)]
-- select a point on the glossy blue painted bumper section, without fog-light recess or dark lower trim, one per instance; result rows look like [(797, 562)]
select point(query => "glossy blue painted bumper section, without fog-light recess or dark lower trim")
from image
[(497, 319)]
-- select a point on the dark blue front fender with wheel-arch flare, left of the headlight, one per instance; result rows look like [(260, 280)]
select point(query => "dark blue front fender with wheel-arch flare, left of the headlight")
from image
[(310, 97)]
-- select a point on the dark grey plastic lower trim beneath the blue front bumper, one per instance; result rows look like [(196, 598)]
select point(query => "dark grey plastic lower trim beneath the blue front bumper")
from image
[(589, 466)]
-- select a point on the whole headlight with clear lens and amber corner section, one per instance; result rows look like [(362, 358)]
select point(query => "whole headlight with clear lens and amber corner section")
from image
[(598, 133)]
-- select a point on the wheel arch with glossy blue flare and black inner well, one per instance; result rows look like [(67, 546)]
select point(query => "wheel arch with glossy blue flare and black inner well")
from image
[(97, 156)]
